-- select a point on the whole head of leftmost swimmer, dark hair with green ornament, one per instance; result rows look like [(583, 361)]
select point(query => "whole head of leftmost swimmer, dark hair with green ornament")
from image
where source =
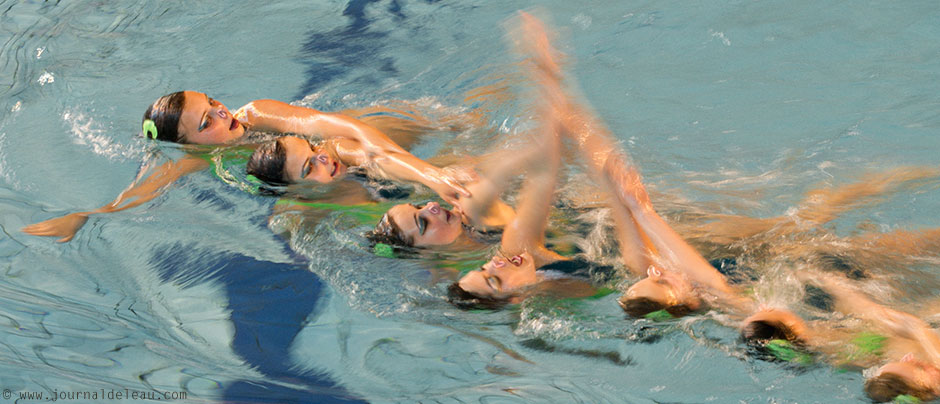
[(194, 118)]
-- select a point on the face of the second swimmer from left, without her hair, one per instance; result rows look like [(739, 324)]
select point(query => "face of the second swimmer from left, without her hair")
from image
[(305, 162)]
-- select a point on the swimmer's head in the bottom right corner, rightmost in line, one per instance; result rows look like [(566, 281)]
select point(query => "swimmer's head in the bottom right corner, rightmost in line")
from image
[(906, 377)]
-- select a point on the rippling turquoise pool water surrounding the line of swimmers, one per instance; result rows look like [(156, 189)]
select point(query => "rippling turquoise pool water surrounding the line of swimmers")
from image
[(737, 106)]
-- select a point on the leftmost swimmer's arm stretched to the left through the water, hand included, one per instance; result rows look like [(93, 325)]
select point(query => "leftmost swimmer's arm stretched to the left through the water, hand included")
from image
[(138, 193)]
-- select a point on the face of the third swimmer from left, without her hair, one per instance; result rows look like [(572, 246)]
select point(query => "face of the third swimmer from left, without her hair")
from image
[(427, 225)]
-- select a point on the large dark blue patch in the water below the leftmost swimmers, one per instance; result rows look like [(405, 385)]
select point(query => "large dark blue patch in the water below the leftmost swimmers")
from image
[(269, 302)]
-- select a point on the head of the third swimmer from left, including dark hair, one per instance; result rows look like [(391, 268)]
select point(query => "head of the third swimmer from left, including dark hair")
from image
[(420, 226)]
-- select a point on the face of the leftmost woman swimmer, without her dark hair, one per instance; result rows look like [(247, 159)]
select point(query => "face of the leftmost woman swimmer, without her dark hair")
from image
[(204, 120)]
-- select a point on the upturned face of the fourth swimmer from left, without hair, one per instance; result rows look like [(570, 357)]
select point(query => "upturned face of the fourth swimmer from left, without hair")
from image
[(500, 277)]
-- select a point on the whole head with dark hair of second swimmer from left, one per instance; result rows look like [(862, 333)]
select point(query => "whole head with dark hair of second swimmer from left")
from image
[(291, 159)]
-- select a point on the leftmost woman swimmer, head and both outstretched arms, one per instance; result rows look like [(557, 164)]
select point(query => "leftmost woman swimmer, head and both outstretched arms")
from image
[(194, 118)]
